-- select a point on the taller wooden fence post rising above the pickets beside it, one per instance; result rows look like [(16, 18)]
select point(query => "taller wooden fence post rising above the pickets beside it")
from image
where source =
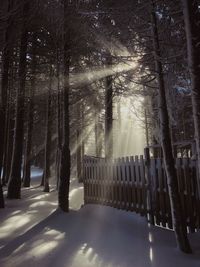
[(149, 185)]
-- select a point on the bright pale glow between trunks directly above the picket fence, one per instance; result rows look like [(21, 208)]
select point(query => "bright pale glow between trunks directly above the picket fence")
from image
[(129, 134)]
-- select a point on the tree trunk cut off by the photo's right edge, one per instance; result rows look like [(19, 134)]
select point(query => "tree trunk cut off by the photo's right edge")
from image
[(192, 28)]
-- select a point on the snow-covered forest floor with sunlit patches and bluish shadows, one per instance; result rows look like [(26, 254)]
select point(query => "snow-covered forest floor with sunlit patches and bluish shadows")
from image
[(33, 232)]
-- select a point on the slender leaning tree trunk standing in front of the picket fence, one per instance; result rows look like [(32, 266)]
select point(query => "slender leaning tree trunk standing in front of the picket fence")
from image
[(179, 222)]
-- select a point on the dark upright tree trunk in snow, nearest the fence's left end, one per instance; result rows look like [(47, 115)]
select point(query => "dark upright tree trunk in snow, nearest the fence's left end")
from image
[(64, 181)]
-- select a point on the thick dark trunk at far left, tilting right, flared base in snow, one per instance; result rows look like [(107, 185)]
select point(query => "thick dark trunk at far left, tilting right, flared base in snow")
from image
[(14, 184)]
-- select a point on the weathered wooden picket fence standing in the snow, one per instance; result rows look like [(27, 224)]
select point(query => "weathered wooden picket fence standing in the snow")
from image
[(140, 185)]
